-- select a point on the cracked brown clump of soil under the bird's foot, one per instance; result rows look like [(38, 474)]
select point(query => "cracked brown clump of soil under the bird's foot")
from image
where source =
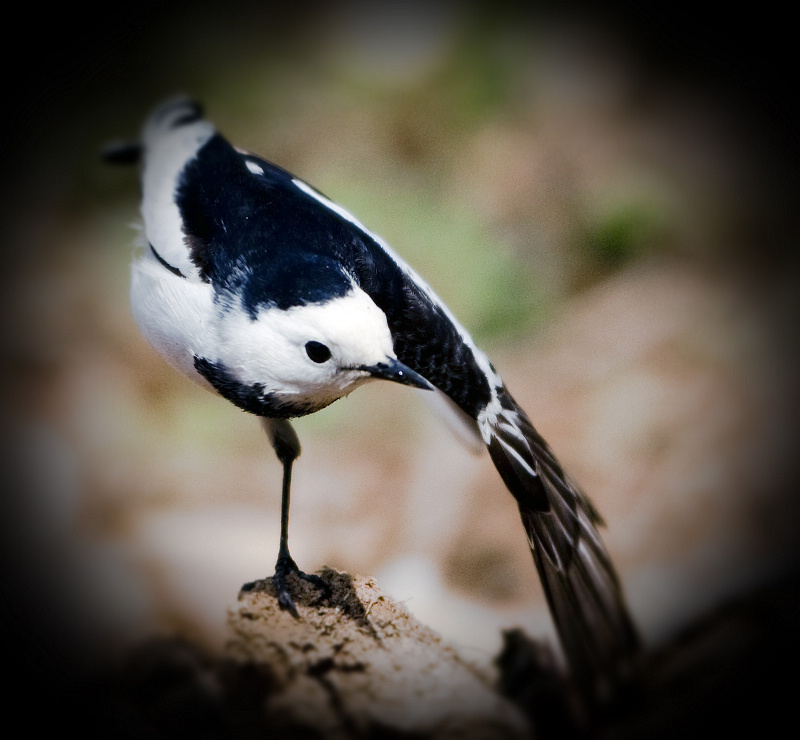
[(356, 662)]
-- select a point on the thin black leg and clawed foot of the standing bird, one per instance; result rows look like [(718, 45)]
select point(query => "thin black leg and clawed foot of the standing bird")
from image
[(287, 448)]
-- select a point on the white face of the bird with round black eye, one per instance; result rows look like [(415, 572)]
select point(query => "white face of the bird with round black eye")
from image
[(274, 350)]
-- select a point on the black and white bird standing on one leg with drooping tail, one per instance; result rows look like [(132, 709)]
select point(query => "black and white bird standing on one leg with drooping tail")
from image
[(258, 287)]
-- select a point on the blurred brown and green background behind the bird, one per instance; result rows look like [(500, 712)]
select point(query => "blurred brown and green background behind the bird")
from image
[(607, 202)]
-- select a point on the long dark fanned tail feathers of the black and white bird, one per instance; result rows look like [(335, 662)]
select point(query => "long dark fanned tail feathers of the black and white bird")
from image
[(582, 589)]
